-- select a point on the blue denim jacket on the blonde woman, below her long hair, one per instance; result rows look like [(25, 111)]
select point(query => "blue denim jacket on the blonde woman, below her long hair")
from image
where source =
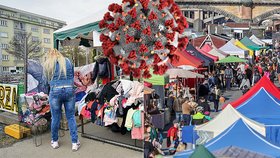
[(63, 80)]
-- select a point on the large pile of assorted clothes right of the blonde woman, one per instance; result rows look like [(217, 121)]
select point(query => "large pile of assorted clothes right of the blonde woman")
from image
[(118, 105)]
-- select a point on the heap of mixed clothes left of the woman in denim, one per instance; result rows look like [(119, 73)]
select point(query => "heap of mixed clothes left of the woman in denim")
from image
[(35, 110)]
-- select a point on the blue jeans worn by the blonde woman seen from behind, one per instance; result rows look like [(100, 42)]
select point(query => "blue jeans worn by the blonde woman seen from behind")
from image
[(65, 96)]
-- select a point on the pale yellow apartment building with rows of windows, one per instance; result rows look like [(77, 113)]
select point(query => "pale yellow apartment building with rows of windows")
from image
[(14, 21)]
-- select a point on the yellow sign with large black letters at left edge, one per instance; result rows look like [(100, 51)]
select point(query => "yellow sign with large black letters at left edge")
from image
[(8, 98)]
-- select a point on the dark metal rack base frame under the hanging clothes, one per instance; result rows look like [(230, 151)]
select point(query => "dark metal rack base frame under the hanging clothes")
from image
[(104, 140)]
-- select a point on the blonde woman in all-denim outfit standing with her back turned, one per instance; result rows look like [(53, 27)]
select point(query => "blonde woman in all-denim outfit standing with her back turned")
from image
[(60, 74)]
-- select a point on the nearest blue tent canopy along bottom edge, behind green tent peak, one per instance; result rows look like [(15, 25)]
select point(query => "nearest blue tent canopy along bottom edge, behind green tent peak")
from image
[(241, 135)]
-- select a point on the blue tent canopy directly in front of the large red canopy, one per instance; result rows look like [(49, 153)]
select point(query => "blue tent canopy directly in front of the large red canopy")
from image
[(262, 107)]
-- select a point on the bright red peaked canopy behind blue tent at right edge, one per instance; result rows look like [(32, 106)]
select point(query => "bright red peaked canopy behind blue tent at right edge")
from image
[(263, 82)]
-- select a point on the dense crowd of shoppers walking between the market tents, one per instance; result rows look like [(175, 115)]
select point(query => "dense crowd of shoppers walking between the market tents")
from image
[(195, 110)]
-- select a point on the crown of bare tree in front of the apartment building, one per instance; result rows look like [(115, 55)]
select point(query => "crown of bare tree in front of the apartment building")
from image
[(17, 46)]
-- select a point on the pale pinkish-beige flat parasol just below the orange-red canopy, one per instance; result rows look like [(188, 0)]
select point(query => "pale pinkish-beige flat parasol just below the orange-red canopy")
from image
[(181, 73)]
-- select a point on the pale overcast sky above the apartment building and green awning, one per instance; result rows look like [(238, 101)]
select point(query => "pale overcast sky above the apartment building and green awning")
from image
[(66, 10)]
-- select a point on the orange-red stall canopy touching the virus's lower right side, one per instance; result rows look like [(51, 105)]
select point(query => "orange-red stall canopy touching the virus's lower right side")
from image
[(187, 59)]
